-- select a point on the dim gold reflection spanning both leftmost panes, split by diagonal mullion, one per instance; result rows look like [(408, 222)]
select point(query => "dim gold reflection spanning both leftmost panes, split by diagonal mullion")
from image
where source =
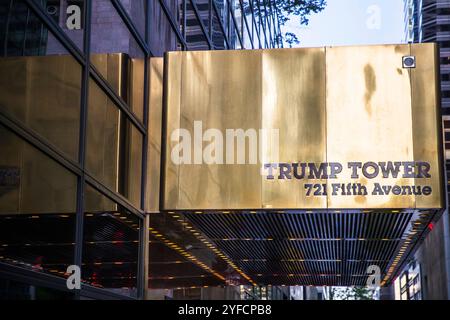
[(42, 94)]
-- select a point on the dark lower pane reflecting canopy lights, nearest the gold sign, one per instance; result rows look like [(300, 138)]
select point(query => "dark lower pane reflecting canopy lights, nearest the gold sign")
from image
[(111, 245)]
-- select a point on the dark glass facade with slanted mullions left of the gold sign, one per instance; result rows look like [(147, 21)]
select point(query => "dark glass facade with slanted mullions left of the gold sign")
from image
[(75, 142)]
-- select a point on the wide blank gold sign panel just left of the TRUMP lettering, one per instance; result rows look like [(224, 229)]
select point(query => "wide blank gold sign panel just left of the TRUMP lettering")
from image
[(203, 97)]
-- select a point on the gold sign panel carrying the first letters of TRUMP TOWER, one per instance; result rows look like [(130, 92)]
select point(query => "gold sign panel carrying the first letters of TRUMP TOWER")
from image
[(305, 135)]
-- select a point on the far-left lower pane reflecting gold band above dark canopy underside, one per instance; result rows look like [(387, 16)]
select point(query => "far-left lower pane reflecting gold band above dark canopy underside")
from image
[(37, 208)]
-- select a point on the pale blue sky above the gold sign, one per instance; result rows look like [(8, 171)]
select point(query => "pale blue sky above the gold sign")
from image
[(352, 22)]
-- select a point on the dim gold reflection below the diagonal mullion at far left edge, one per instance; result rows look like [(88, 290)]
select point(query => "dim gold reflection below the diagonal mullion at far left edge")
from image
[(31, 182)]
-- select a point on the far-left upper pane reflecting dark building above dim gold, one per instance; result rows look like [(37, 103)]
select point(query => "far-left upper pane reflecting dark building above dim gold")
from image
[(45, 93)]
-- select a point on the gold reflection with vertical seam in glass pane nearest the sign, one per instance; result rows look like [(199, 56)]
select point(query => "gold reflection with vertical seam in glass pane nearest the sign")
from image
[(114, 146)]
